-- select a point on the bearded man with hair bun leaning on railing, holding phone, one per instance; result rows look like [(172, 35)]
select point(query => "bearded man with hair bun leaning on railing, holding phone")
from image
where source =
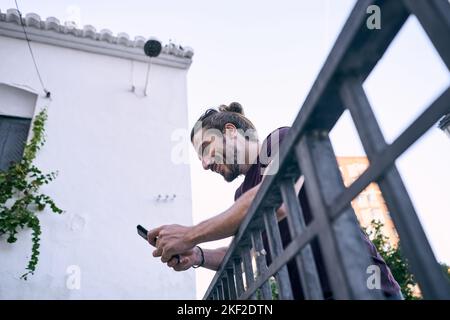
[(226, 143)]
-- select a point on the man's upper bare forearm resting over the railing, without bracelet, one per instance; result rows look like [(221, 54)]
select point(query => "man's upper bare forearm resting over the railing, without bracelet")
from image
[(225, 224)]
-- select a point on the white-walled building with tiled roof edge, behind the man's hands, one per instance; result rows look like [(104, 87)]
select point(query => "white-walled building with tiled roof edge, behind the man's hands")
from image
[(111, 144)]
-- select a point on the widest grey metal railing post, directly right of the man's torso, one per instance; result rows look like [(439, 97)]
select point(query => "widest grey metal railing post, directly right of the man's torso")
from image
[(345, 255)]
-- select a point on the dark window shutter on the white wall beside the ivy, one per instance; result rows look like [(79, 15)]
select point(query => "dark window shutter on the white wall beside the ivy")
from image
[(13, 137)]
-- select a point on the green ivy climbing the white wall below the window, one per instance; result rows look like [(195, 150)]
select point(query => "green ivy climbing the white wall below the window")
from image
[(20, 199)]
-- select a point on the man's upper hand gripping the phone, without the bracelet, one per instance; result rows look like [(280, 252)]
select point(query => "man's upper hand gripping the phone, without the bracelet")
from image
[(170, 240)]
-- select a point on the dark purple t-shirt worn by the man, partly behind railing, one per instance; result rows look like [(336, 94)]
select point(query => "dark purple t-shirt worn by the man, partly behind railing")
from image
[(270, 148)]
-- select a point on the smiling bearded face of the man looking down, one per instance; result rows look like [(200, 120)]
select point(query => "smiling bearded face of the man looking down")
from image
[(217, 152)]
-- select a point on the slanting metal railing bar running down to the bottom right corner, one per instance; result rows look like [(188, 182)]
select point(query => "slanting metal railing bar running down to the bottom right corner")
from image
[(413, 239)]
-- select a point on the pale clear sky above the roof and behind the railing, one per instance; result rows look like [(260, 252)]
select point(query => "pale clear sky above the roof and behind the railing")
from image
[(266, 55)]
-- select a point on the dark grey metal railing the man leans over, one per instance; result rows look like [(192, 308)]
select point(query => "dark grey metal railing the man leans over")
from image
[(307, 151)]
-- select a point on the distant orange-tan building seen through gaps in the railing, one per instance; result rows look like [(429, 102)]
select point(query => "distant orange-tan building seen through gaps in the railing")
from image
[(368, 205)]
